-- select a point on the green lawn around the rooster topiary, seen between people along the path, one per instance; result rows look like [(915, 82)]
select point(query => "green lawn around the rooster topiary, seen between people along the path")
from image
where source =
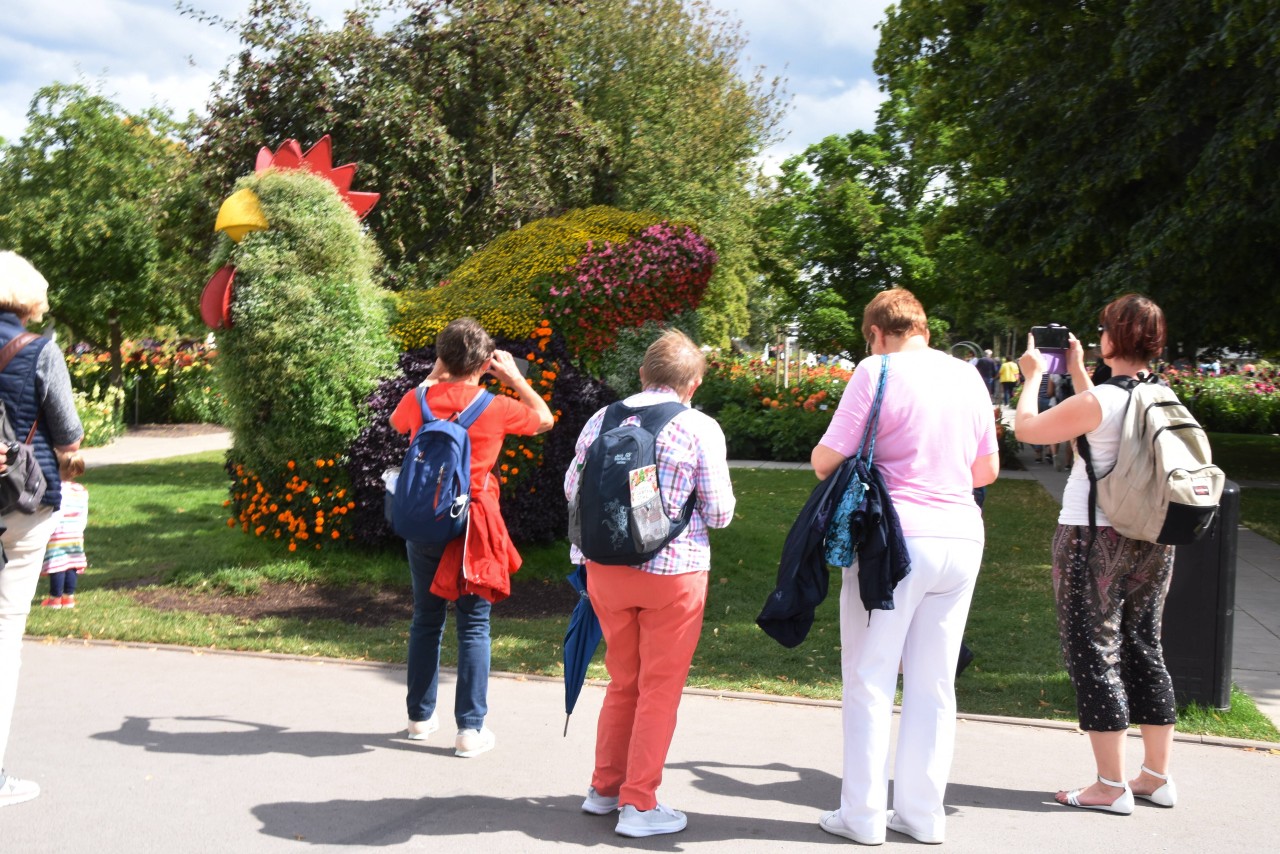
[(163, 524)]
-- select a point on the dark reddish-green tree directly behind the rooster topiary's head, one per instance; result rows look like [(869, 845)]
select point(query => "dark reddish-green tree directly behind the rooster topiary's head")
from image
[(459, 113)]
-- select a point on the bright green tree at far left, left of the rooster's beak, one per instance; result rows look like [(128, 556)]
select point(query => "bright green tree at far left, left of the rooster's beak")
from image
[(97, 198)]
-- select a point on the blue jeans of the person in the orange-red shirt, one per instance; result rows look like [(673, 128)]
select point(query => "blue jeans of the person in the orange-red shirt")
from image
[(426, 634)]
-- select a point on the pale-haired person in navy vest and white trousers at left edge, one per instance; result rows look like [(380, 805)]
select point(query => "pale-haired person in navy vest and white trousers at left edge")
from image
[(36, 391)]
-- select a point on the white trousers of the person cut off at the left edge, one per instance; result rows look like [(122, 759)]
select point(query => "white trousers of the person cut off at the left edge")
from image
[(25, 544)]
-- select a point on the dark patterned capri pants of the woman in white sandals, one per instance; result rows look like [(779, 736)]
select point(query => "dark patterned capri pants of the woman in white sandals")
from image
[(1110, 600)]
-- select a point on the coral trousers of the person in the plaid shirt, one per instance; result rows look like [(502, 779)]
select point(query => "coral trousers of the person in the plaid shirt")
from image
[(651, 624)]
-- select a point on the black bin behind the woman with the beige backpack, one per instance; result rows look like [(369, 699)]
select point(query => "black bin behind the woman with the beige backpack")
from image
[(1200, 613)]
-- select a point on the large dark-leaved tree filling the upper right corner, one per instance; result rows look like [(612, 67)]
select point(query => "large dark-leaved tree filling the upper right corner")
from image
[(1107, 147)]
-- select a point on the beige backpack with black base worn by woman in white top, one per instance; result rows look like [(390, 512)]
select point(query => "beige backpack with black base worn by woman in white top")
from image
[(1164, 487)]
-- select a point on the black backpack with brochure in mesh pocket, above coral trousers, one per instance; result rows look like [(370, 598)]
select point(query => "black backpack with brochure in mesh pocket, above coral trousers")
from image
[(619, 515)]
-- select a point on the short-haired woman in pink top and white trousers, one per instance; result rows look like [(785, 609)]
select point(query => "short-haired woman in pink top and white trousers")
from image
[(936, 442)]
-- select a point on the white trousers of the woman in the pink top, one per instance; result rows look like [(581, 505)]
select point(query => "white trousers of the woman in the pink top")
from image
[(924, 632)]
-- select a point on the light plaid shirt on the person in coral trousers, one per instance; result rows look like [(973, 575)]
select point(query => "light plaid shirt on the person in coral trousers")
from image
[(692, 456)]
